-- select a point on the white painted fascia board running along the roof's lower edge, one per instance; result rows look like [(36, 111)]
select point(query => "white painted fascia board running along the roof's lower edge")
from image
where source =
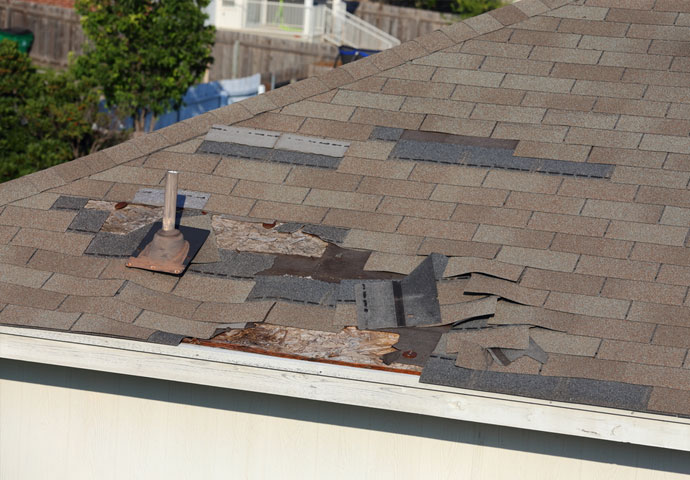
[(333, 383)]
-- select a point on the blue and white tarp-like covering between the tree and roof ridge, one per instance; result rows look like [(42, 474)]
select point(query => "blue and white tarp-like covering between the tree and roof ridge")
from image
[(207, 96)]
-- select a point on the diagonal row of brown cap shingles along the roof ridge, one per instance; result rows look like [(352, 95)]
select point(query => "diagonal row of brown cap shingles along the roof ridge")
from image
[(185, 130)]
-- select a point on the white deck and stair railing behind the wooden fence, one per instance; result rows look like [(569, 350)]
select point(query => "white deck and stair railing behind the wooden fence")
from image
[(317, 22)]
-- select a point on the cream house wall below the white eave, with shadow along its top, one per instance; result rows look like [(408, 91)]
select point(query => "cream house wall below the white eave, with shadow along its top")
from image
[(58, 422)]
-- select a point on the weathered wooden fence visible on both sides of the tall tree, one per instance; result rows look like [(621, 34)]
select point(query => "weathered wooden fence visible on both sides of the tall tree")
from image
[(237, 54)]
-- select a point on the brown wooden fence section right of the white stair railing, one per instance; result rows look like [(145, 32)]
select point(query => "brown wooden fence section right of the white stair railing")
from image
[(403, 23)]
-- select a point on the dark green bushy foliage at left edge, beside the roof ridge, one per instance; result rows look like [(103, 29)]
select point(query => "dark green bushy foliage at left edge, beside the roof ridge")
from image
[(45, 118)]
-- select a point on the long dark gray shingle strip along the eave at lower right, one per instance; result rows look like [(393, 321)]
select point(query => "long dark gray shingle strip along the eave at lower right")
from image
[(441, 370)]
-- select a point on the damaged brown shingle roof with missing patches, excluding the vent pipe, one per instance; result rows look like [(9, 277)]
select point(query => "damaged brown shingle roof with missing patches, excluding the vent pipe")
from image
[(540, 152)]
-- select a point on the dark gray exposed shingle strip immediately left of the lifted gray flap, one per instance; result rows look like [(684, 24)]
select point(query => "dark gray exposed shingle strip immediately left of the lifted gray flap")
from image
[(294, 289)]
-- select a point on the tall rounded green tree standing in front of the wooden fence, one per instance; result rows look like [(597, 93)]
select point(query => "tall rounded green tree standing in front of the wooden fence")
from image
[(144, 54)]
